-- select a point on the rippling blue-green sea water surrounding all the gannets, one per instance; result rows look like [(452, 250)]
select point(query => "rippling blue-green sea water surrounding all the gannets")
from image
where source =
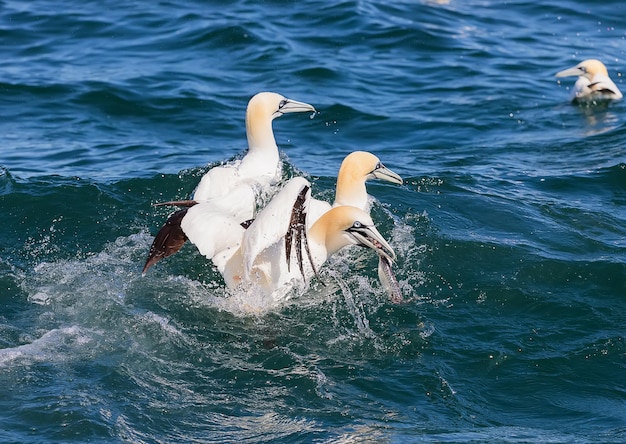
[(510, 228)]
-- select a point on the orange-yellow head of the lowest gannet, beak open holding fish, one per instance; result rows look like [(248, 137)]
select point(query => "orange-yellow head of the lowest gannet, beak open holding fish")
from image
[(346, 225)]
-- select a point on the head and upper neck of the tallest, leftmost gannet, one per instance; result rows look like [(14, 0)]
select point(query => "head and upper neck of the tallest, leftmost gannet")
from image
[(262, 109)]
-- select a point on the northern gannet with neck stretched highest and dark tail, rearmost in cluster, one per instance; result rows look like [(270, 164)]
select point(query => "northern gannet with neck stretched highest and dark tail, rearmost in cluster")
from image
[(230, 190)]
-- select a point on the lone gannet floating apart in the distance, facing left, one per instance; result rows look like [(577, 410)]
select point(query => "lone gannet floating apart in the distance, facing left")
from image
[(593, 82)]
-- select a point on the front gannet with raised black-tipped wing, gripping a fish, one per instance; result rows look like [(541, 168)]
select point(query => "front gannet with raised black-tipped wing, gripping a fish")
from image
[(266, 252)]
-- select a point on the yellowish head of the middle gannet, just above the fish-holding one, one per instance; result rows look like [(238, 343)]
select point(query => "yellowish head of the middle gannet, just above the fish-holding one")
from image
[(355, 170)]
